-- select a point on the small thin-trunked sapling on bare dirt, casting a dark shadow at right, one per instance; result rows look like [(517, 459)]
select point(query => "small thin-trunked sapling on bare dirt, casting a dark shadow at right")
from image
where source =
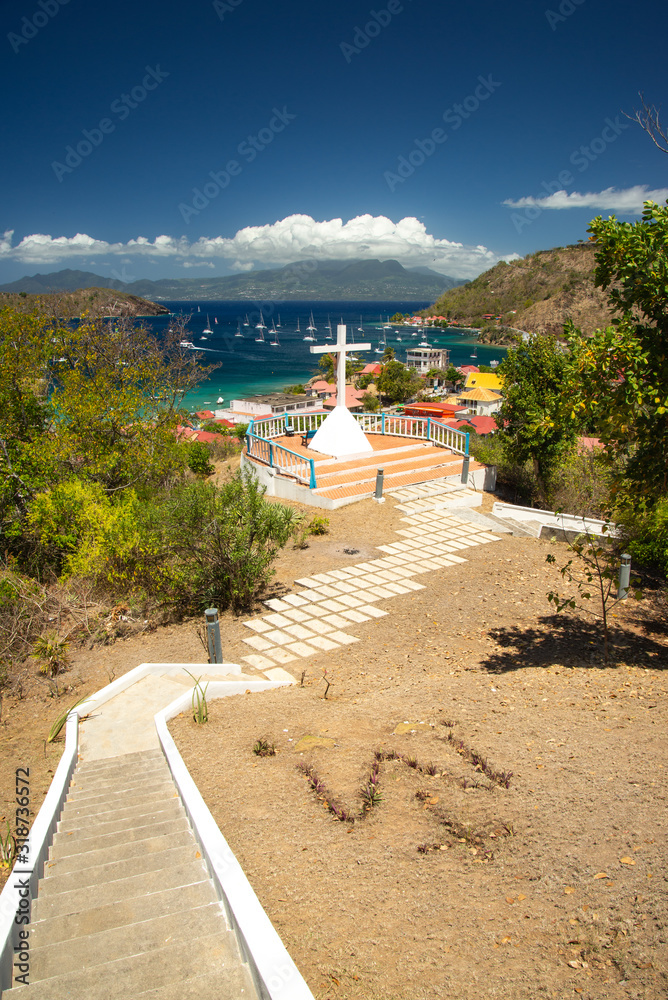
[(595, 578)]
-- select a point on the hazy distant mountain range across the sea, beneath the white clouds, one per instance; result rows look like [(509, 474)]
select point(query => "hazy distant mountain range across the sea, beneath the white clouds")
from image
[(326, 279)]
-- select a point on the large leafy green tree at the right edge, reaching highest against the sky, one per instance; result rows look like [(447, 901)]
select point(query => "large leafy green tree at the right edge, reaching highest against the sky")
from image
[(620, 374)]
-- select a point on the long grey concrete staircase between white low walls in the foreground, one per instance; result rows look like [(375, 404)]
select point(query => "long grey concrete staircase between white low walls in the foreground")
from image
[(126, 908)]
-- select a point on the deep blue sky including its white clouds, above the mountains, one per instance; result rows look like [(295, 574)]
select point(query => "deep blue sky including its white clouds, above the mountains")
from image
[(171, 139)]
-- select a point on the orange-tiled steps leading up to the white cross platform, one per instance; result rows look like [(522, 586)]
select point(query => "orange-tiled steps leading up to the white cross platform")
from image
[(415, 463)]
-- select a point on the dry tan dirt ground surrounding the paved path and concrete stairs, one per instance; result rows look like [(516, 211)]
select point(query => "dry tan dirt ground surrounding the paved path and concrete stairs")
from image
[(451, 885)]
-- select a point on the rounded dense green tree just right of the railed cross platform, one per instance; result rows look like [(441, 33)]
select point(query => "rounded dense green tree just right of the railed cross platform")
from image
[(532, 419)]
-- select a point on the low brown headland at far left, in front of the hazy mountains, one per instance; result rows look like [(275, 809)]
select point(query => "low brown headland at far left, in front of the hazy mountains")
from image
[(97, 302)]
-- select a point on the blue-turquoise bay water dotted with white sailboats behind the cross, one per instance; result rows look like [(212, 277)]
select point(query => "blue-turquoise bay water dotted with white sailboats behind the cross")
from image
[(249, 367)]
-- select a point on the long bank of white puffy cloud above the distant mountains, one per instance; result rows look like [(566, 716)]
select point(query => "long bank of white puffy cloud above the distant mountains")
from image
[(293, 238)]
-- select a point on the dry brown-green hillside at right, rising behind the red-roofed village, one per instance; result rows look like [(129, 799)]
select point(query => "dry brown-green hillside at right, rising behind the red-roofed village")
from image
[(545, 289)]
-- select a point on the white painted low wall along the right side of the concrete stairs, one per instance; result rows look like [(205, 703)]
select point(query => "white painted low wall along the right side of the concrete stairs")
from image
[(275, 974)]
